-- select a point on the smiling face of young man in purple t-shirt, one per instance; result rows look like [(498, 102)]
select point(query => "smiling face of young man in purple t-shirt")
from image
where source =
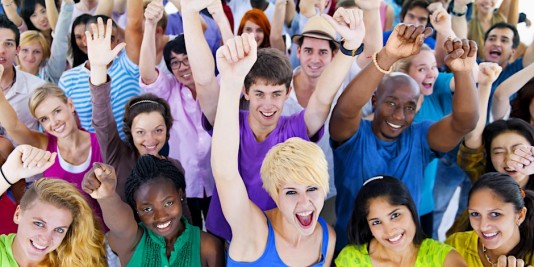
[(266, 103)]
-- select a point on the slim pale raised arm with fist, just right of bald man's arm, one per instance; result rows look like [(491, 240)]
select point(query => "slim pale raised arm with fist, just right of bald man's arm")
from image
[(487, 75)]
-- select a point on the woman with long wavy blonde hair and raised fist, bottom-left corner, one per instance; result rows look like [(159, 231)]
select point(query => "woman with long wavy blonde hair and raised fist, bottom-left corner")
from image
[(56, 226)]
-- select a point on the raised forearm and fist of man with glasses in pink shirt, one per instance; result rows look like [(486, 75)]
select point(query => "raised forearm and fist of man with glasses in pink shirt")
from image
[(147, 61)]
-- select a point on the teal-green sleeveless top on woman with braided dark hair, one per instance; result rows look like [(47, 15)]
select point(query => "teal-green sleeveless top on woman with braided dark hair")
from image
[(151, 251)]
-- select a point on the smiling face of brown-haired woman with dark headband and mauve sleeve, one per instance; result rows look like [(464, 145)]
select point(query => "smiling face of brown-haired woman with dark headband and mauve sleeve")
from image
[(149, 133)]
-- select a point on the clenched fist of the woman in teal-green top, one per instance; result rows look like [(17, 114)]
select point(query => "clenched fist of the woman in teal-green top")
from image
[(100, 182)]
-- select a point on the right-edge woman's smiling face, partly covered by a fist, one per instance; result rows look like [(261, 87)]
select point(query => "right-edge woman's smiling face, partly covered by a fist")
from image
[(502, 147)]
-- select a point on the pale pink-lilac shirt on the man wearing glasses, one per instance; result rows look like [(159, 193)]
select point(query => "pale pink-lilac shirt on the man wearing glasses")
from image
[(189, 142)]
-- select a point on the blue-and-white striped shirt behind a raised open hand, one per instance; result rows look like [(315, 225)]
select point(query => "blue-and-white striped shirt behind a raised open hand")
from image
[(124, 85)]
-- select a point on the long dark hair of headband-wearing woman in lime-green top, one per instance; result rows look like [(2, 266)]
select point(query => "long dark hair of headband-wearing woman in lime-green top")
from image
[(396, 193)]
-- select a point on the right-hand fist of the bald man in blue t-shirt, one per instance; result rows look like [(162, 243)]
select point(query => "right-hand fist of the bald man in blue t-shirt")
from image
[(461, 54)]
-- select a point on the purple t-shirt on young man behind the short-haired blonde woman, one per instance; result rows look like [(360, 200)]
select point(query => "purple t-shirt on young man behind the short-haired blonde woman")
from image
[(251, 155)]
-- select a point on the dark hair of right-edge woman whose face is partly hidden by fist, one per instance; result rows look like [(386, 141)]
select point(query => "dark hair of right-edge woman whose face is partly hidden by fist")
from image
[(499, 127)]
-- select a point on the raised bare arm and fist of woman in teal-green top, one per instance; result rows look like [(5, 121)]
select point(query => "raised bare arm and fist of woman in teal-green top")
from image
[(124, 233)]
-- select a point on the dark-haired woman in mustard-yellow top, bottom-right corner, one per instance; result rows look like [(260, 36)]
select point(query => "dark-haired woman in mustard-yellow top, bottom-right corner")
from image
[(502, 216)]
